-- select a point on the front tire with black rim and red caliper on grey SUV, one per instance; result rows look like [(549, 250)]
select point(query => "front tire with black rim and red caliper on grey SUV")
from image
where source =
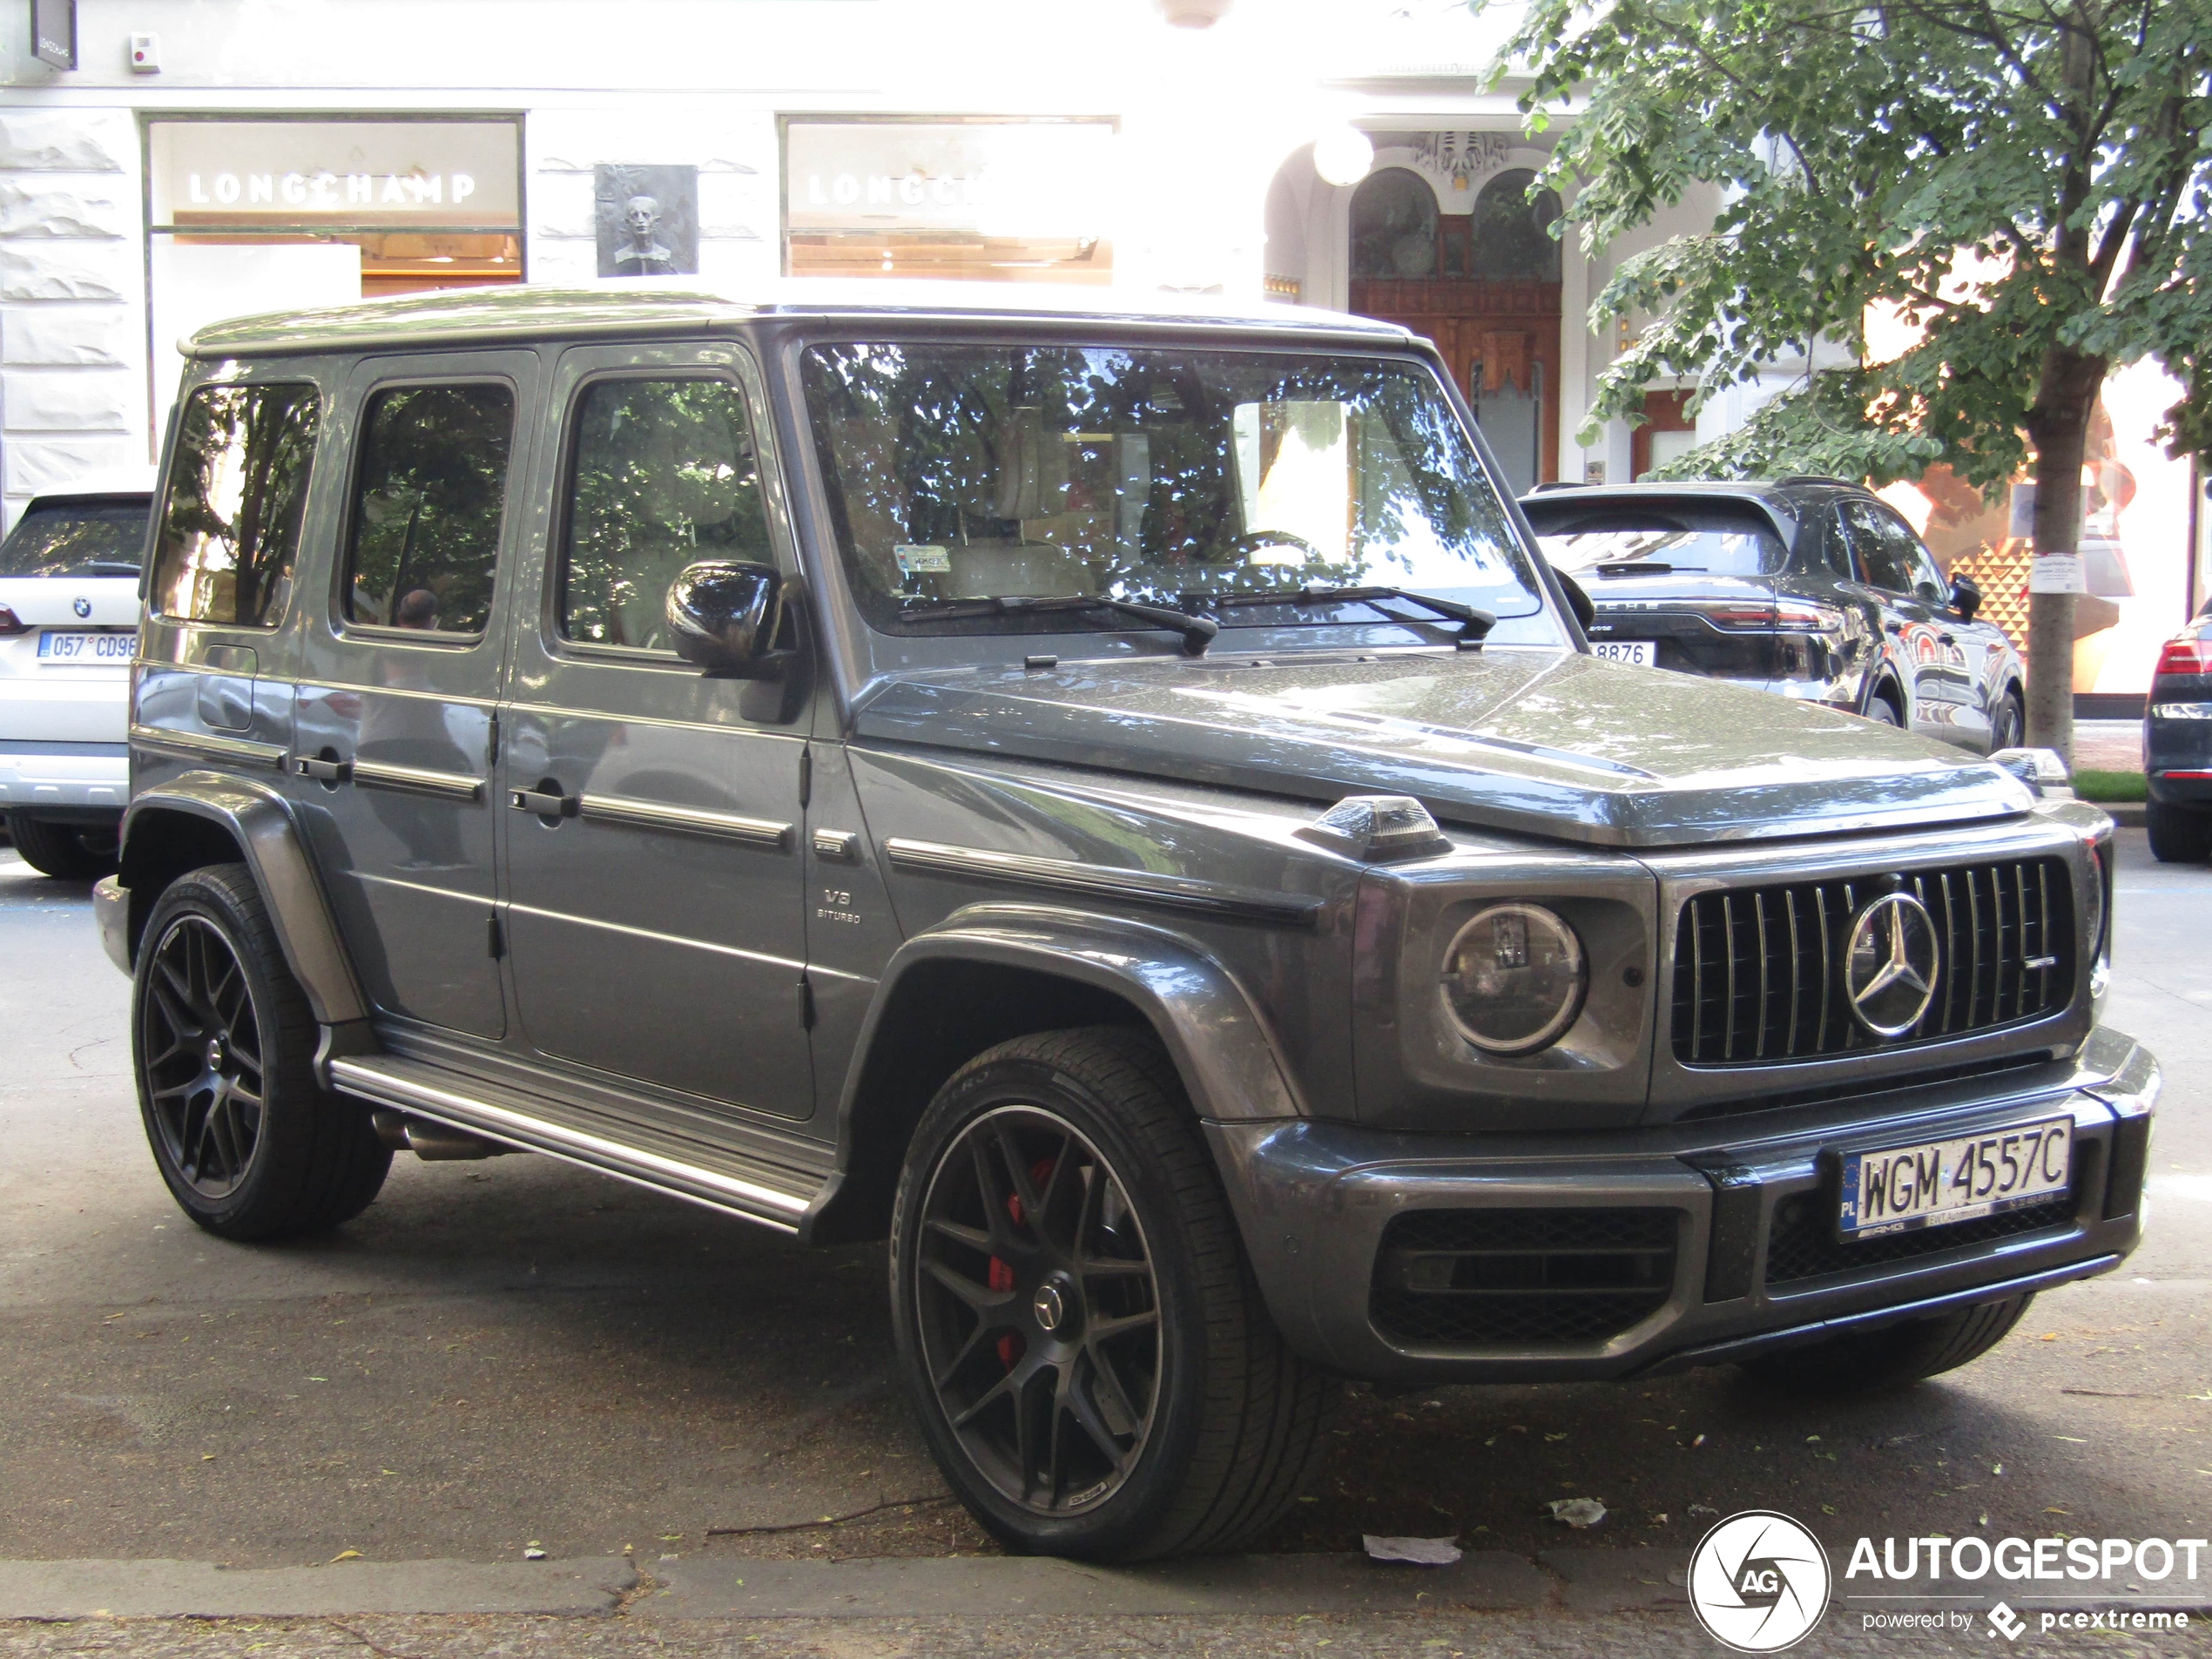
[(1189, 1428)]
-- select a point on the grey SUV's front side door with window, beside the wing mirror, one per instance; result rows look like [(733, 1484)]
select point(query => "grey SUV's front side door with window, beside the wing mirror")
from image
[(651, 815)]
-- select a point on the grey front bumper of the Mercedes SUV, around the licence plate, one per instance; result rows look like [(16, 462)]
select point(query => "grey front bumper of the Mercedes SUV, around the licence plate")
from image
[(1315, 1202)]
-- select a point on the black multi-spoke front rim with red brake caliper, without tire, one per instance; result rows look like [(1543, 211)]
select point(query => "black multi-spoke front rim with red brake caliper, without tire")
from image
[(1039, 1311)]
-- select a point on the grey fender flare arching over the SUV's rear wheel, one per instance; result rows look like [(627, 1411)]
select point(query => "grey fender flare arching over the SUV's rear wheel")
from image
[(262, 824)]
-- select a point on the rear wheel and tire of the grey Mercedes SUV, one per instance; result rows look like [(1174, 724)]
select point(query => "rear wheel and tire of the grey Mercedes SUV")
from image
[(222, 1045)]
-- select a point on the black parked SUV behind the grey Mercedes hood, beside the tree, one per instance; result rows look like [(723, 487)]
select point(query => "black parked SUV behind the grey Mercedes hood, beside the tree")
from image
[(1808, 587)]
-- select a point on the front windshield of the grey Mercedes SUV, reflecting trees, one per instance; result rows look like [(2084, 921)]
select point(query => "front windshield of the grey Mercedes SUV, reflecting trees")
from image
[(1167, 477)]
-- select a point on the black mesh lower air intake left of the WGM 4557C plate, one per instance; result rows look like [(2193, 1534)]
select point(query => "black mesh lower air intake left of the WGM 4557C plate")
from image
[(1521, 1277)]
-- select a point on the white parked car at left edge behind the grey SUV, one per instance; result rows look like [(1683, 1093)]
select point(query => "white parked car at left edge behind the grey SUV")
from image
[(70, 607)]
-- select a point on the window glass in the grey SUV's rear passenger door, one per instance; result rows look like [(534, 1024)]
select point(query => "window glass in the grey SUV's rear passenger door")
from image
[(430, 497)]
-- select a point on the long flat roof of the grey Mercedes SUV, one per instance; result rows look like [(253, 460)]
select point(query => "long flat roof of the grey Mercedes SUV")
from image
[(662, 306)]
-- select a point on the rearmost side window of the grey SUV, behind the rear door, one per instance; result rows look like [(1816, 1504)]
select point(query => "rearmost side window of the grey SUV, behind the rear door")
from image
[(238, 490)]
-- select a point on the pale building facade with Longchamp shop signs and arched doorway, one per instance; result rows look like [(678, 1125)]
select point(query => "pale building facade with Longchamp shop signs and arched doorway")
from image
[(242, 156)]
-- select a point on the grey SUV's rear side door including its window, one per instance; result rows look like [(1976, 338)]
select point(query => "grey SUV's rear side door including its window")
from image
[(393, 753)]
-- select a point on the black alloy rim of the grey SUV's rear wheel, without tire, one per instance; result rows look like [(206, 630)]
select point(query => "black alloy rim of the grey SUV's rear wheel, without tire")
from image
[(202, 1056)]
